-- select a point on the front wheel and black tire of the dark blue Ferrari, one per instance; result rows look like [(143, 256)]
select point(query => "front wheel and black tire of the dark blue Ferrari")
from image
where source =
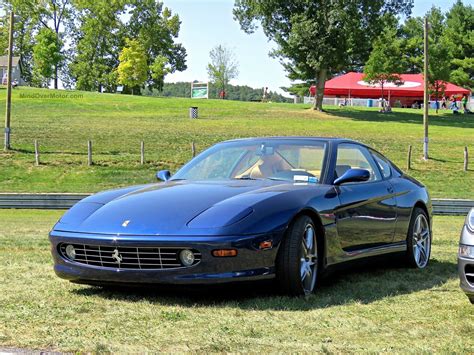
[(290, 263)]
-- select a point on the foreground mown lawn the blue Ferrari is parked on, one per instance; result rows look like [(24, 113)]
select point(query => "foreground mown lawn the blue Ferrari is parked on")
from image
[(378, 308)]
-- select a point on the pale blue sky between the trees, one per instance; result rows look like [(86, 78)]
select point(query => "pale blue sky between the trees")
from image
[(207, 23)]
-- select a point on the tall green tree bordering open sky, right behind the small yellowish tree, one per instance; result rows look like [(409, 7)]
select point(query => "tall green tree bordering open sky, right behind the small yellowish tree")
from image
[(156, 28)]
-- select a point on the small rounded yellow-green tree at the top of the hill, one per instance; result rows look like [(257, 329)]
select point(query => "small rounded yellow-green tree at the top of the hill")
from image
[(132, 70)]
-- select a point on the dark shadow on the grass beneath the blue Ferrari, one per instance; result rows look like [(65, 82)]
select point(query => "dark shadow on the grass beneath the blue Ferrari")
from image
[(364, 283)]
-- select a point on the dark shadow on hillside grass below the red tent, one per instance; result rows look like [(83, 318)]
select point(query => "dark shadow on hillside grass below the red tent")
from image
[(445, 120)]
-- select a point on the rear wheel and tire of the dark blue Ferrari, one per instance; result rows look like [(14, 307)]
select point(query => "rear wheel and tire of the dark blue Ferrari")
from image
[(418, 240)]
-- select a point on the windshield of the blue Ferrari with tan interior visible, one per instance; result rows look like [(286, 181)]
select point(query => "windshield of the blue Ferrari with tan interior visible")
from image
[(275, 159)]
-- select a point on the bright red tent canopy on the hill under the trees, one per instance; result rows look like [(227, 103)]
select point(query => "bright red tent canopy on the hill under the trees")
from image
[(353, 85)]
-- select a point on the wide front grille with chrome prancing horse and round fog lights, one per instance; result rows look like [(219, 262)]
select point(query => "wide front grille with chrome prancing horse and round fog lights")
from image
[(120, 257)]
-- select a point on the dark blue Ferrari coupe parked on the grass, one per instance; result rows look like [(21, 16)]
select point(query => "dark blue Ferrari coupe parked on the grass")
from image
[(249, 209)]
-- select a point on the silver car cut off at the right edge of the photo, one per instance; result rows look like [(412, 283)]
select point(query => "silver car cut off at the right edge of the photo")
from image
[(466, 256)]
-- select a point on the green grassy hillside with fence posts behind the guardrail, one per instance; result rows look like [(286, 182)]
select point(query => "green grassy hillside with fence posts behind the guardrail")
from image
[(116, 124)]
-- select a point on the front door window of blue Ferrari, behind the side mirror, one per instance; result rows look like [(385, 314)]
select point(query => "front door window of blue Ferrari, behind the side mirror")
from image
[(353, 156)]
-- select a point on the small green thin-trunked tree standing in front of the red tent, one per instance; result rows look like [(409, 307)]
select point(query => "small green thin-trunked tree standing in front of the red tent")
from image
[(384, 65)]
